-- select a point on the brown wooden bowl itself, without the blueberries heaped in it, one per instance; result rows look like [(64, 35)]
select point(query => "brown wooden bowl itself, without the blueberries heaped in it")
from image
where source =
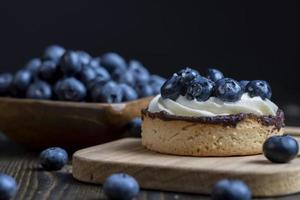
[(39, 123)]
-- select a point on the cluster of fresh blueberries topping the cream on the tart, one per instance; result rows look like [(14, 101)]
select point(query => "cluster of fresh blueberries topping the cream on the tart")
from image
[(188, 82)]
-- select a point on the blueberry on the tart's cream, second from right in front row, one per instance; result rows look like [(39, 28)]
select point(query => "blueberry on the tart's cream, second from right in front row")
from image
[(228, 89)]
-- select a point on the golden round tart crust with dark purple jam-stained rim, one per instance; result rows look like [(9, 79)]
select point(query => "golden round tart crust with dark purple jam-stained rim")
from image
[(230, 135)]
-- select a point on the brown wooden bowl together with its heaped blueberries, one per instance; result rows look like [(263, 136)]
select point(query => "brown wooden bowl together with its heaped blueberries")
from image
[(72, 99)]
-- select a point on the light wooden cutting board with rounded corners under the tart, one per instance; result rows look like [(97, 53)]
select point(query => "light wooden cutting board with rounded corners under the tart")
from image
[(182, 173)]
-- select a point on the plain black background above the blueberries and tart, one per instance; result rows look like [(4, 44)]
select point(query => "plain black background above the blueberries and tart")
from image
[(246, 40)]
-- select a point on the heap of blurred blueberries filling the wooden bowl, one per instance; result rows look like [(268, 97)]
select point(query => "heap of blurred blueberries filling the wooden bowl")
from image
[(69, 75)]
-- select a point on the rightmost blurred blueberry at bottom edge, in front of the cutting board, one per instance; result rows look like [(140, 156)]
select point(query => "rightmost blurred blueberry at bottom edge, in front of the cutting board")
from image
[(231, 190)]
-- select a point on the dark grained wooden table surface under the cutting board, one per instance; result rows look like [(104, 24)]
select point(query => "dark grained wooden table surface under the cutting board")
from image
[(34, 183)]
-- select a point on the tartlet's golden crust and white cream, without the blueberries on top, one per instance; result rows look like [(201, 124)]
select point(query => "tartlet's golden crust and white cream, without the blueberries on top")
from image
[(167, 129)]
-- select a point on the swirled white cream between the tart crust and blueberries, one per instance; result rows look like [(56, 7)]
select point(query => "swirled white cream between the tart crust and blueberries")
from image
[(213, 106)]
